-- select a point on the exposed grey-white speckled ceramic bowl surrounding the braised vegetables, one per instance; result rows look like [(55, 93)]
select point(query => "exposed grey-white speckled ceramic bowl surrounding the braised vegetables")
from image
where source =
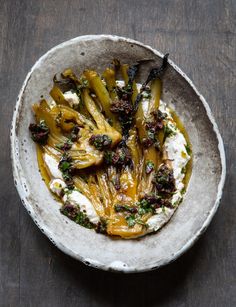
[(205, 188)]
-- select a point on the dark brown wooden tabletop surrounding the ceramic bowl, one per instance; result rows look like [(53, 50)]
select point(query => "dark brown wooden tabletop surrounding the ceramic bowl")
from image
[(200, 37)]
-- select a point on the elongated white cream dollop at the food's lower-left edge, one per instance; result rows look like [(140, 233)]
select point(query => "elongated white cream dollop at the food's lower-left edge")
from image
[(78, 199)]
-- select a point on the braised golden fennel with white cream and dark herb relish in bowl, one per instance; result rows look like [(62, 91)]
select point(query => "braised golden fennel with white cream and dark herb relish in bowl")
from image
[(111, 151)]
